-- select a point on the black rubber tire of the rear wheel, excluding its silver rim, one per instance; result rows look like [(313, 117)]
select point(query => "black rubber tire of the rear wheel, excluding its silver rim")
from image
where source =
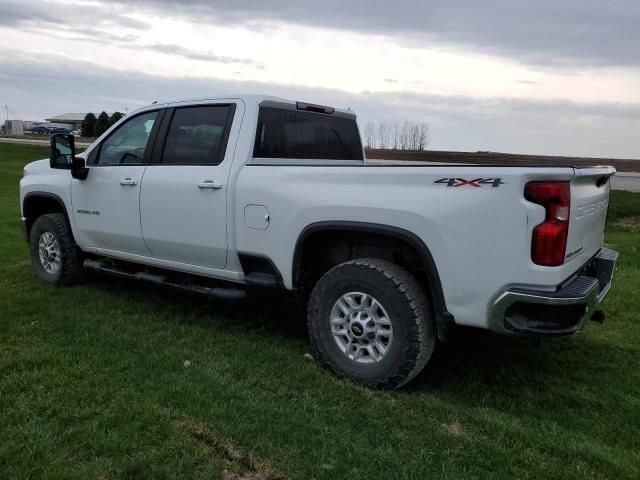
[(407, 306)]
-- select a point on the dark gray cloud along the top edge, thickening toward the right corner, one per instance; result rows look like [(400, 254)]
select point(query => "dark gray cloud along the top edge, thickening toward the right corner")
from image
[(565, 33)]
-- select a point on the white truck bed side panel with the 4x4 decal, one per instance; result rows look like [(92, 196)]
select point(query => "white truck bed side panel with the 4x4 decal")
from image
[(474, 220)]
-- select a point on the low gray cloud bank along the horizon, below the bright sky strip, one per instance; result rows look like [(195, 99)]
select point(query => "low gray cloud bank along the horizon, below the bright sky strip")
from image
[(457, 122)]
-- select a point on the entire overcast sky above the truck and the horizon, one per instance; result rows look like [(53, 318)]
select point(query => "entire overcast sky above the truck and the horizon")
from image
[(552, 77)]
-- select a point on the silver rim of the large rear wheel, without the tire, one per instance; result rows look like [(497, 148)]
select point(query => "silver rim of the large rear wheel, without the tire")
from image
[(361, 327)]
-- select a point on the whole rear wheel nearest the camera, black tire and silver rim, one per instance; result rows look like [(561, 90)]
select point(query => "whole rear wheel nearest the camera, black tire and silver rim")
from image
[(370, 321)]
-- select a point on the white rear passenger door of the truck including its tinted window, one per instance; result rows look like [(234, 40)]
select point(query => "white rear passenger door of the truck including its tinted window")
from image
[(183, 202)]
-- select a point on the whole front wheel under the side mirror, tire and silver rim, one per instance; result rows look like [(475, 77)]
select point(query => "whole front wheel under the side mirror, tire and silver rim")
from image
[(54, 254)]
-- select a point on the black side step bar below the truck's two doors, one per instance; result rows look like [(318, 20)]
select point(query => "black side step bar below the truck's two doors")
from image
[(213, 293)]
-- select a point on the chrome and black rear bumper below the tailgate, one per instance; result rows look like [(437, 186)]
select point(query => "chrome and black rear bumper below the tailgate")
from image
[(561, 312)]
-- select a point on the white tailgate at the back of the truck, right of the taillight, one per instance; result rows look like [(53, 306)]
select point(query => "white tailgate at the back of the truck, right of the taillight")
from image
[(590, 189)]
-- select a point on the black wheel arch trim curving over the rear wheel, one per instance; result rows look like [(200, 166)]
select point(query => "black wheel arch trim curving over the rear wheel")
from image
[(444, 319)]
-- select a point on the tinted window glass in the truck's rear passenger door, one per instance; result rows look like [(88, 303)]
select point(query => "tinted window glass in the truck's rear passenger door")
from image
[(198, 135)]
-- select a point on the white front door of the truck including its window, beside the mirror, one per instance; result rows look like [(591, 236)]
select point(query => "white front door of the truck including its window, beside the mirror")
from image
[(106, 209)]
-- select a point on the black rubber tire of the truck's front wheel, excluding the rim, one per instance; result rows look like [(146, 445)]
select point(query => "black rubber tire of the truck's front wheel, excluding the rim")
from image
[(70, 269)]
